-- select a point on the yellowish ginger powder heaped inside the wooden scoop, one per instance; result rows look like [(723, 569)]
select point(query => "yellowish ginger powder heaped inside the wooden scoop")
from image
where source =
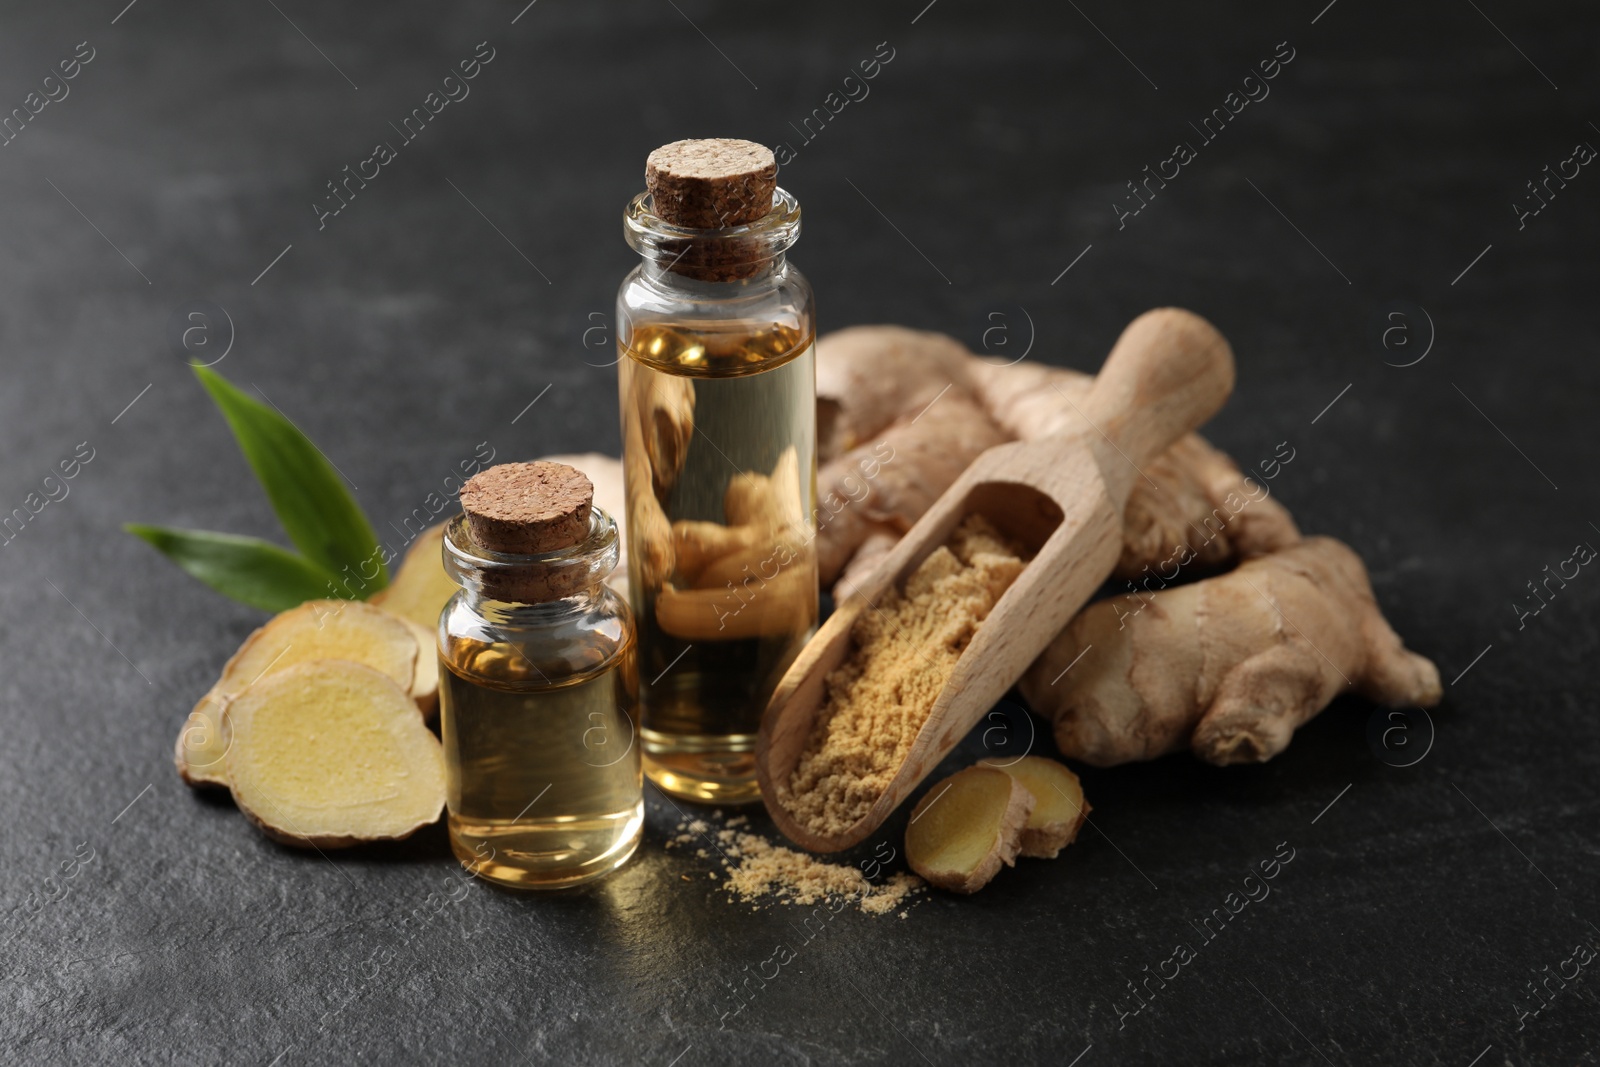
[(903, 655)]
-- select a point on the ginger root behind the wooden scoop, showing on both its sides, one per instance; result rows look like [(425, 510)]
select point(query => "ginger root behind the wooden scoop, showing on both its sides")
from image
[(905, 412)]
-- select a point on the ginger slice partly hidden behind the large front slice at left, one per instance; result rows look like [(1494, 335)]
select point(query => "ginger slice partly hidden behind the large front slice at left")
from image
[(318, 629)]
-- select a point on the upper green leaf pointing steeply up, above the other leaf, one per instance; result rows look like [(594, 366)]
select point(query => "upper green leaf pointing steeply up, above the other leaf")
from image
[(319, 516)]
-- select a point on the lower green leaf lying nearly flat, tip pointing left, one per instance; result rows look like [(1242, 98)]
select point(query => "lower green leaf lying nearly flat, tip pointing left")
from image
[(249, 570)]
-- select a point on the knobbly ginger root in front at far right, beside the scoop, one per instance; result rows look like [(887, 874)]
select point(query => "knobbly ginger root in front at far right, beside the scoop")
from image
[(1230, 666)]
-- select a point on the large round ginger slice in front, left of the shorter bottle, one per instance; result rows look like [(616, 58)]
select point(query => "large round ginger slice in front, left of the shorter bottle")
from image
[(329, 754)]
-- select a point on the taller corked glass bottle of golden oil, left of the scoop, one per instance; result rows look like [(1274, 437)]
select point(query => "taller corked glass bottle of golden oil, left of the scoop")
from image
[(718, 390)]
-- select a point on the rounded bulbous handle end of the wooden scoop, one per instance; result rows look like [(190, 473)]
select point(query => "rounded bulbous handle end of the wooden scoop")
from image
[(1167, 375)]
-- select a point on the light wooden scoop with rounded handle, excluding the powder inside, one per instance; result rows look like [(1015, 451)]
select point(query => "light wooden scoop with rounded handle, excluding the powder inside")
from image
[(1063, 498)]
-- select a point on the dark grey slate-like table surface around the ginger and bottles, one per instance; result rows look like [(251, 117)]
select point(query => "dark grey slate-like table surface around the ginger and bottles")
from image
[(972, 188)]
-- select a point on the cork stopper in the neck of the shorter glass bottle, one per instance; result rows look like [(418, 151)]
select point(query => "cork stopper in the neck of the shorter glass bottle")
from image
[(529, 510)]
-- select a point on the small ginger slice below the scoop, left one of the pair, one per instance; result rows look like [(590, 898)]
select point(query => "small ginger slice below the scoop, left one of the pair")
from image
[(967, 826)]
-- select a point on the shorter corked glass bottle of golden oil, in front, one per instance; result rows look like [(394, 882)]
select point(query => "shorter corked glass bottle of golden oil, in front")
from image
[(538, 684)]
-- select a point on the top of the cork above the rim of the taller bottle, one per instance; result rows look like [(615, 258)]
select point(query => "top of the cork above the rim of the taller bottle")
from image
[(711, 183)]
